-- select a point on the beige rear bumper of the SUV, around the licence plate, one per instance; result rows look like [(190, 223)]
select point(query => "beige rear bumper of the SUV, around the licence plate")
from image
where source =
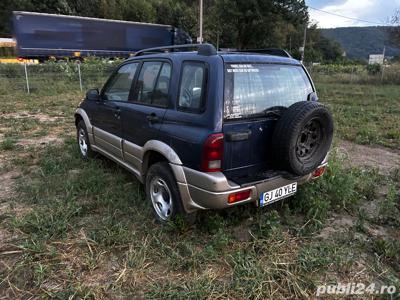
[(211, 190)]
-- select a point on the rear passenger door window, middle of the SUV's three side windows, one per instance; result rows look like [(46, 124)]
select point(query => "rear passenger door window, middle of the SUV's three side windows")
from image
[(153, 83)]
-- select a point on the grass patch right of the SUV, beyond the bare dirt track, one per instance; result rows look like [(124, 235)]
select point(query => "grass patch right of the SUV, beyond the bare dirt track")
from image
[(365, 114)]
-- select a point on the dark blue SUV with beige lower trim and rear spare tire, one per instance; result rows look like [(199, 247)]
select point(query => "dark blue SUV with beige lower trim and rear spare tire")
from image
[(208, 130)]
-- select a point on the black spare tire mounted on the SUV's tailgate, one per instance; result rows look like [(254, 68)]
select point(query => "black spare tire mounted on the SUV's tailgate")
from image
[(302, 137)]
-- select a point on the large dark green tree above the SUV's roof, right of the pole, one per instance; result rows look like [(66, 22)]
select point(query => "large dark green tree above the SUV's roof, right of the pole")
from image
[(257, 23)]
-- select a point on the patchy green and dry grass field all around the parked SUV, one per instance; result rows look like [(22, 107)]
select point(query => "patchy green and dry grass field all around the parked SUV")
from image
[(82, 229)]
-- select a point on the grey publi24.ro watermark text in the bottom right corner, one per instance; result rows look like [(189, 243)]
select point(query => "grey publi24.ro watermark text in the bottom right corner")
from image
[(353, 288)]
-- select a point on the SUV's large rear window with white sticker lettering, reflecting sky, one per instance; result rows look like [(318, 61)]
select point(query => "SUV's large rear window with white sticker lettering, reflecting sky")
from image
[(251, 89)]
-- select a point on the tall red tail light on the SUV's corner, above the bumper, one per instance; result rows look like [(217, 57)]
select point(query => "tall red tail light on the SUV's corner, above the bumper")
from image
[(213, 151)]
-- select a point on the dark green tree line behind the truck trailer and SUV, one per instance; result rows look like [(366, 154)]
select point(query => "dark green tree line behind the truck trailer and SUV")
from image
[(240, 24)]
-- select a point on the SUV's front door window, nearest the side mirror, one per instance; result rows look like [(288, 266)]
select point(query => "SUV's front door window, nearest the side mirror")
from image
[(120, 84)]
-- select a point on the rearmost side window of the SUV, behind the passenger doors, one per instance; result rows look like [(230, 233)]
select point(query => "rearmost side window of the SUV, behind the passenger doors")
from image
[(192, 84)]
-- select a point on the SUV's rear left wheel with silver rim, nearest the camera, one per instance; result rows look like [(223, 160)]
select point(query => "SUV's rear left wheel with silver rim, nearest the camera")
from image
[(162, 191)]
